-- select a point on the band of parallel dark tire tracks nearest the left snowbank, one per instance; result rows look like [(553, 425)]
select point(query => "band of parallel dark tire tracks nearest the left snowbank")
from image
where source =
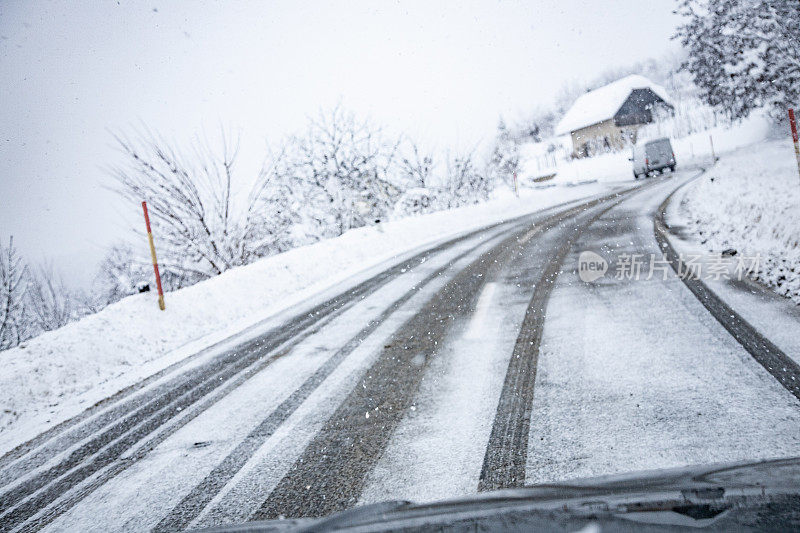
[(118, 444)]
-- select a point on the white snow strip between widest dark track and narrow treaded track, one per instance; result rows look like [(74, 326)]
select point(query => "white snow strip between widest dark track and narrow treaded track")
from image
[(437, 450)]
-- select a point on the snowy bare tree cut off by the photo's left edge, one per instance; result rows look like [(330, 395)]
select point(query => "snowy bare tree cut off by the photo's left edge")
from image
[(13, 285)]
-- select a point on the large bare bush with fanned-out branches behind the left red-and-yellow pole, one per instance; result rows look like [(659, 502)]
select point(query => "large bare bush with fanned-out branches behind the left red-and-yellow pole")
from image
[(202, 231)]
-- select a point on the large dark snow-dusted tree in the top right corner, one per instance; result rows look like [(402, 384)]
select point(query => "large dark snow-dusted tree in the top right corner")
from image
[(743, 54)]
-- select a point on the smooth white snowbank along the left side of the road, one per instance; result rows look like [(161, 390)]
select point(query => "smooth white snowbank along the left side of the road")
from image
[(55, 376)]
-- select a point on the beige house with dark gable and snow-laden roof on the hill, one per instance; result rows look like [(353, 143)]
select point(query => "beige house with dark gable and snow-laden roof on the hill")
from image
[(607, 118)]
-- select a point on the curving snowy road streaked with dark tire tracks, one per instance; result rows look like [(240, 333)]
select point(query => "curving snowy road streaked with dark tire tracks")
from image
[(482, 363)]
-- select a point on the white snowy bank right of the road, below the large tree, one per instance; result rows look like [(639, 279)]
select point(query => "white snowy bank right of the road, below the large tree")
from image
[(751, 202)]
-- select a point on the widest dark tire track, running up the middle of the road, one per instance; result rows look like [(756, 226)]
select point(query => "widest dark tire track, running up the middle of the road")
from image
[(331, 473)]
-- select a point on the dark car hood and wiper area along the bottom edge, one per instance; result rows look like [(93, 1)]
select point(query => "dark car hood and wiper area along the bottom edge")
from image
[(752, 495)]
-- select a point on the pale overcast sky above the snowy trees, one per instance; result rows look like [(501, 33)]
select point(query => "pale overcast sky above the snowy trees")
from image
[(444, 72)]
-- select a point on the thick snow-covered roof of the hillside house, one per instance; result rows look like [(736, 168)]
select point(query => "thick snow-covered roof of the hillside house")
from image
[(603, 103)]
